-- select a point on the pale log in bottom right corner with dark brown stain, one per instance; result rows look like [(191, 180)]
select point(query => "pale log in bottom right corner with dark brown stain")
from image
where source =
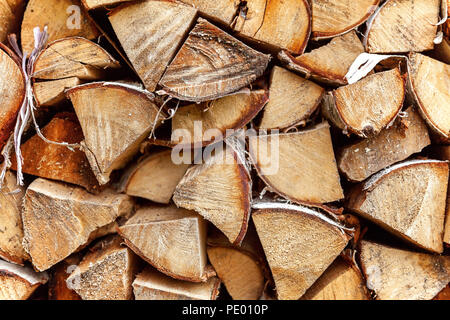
[(397, 274)]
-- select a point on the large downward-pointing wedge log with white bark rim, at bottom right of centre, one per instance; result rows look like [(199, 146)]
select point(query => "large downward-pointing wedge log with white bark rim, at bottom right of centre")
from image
[(299, 244)]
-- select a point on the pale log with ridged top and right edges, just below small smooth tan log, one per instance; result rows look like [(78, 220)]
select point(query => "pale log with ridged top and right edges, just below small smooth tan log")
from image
[(171, 239)]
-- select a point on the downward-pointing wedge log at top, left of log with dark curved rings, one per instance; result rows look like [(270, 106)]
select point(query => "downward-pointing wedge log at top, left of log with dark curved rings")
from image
[(151, 44)]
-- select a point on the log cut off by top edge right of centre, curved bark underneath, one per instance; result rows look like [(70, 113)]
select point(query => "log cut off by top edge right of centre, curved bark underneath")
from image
[(334, 18)]
